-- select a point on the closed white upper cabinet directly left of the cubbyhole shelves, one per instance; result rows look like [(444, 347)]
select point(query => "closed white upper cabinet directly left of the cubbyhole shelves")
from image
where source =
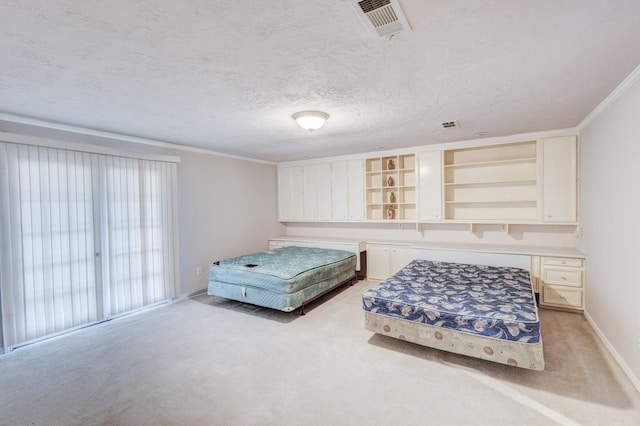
[(347, 183)]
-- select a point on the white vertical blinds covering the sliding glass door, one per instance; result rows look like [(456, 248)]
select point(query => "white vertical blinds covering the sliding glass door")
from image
[(84, 237)]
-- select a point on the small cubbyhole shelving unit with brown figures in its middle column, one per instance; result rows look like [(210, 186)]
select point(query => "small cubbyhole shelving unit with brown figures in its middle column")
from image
[(391, 187)]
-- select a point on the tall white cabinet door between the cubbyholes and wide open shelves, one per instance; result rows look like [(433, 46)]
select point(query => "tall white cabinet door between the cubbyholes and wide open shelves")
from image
[(430, 185)]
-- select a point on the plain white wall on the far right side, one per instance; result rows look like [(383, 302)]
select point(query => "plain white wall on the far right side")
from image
[(610, 205)]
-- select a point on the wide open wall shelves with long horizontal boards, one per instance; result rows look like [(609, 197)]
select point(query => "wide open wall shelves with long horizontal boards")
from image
[(491, 183)]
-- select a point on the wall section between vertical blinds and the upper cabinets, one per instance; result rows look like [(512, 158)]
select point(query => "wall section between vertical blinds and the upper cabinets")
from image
[(227, 207)]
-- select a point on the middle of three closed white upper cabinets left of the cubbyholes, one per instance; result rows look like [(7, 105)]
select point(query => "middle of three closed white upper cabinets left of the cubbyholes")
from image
[(317, 191)]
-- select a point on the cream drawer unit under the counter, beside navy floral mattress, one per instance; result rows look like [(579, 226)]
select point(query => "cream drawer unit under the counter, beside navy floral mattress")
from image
[(562, 283)]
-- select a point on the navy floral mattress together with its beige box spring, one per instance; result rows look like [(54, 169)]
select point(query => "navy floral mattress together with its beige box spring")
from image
[(480, 311)]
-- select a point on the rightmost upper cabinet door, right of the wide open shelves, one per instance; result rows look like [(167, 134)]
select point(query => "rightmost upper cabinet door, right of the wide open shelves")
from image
[(559, 179)]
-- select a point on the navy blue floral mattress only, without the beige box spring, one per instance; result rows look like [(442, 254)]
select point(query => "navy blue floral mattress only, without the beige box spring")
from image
[(495, 302)]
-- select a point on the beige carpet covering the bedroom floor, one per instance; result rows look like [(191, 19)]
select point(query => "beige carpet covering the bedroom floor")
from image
[(208, 361)]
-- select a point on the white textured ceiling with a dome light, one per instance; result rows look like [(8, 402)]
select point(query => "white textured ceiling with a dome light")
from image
[(227, 75)]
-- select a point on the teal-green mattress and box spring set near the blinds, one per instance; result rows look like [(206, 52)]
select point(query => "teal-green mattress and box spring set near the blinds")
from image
[(284, 278)]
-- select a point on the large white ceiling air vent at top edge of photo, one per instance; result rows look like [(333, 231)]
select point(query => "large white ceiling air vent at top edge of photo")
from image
[(384, 17)]
